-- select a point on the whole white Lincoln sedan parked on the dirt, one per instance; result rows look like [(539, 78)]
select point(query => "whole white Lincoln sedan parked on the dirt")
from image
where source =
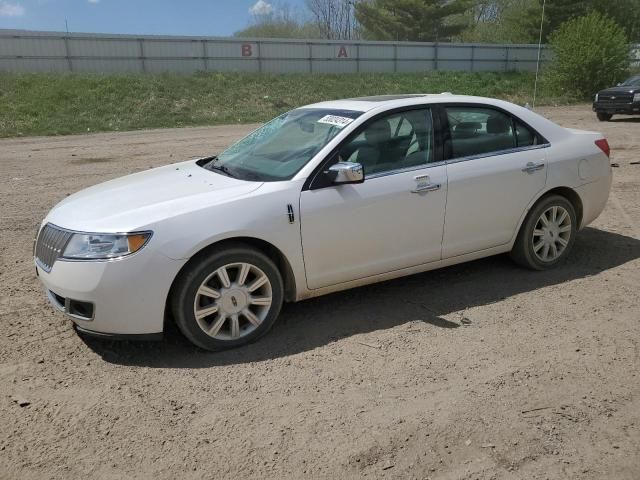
[(326, 197)]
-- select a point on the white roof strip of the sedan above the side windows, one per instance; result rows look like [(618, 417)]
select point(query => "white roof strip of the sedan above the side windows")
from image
[(384, 102)]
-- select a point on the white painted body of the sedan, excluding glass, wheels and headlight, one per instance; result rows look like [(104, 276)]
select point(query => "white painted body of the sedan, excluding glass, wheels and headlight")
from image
[(334, 238)]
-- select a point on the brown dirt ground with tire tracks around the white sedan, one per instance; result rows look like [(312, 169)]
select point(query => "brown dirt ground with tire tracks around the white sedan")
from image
[(380, 382)]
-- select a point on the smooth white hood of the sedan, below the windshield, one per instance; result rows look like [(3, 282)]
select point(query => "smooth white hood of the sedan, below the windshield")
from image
[(139, 200)]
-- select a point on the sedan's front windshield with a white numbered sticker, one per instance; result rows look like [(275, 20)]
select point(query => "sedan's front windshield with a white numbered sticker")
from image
[(279, 149)]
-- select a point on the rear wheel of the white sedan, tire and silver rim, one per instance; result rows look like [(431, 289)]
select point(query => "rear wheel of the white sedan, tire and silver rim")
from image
[(534, 247)]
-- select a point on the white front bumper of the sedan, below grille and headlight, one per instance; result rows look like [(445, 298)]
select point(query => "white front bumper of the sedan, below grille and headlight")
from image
[(120, 297)]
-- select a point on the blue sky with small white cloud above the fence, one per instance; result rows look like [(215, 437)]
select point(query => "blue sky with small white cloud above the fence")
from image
[(177, 17)]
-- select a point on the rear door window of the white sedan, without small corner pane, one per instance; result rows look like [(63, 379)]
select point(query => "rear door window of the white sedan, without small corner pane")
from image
[(477, 131)]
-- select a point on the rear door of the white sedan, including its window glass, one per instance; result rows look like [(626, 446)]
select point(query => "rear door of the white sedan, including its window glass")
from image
[(496, 165)]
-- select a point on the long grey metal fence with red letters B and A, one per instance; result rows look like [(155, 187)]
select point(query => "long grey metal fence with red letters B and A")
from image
[(31, 51)]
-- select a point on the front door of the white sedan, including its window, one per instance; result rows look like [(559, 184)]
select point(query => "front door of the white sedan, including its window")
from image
[(393, 220)]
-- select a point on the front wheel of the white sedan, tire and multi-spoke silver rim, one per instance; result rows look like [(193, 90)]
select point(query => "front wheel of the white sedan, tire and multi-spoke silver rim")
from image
[(237, 316)]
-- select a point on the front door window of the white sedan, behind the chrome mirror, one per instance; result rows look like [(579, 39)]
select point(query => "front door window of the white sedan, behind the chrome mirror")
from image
[(397, 141)]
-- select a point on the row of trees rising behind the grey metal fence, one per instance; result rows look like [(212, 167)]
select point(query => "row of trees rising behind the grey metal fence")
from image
[(486, 21)]
